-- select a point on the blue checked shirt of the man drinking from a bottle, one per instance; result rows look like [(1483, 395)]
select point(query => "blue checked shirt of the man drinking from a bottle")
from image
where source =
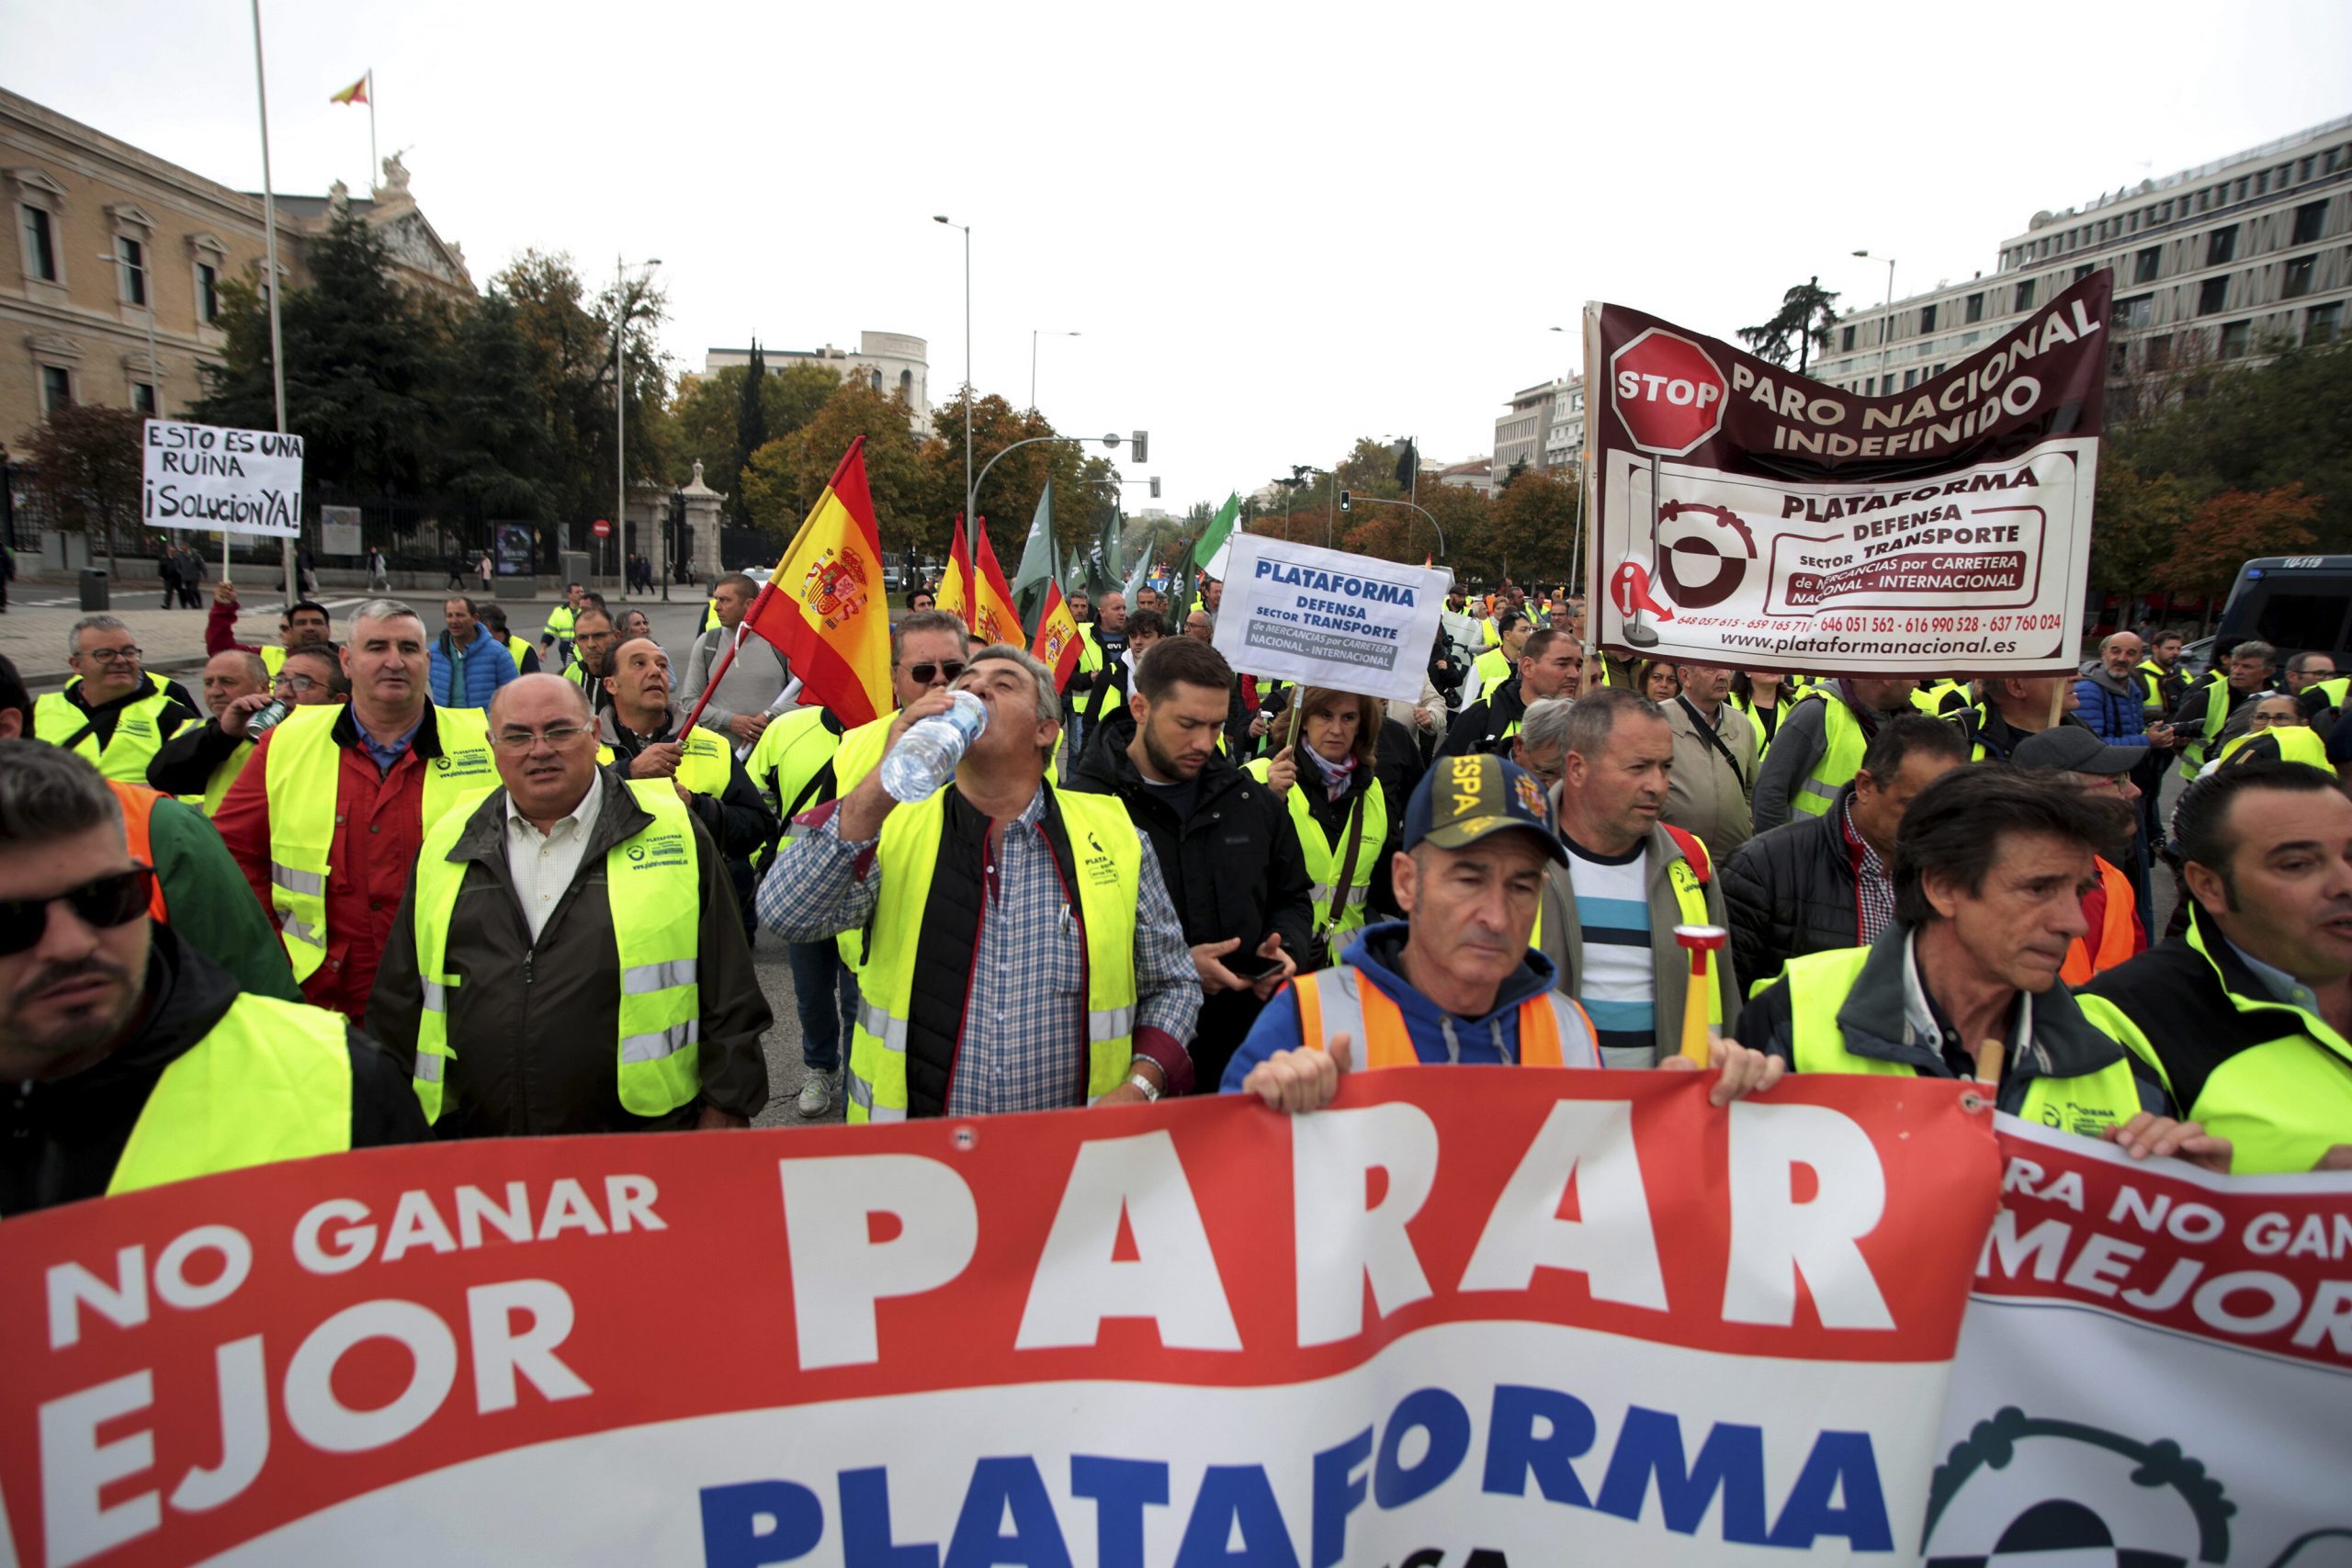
[(1022, 1045)]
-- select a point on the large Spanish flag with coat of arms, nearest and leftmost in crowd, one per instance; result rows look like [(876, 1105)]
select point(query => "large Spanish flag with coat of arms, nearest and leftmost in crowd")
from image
[(827, 605)]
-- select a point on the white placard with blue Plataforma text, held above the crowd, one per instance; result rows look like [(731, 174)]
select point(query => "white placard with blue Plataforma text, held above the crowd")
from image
[(1330, 619)]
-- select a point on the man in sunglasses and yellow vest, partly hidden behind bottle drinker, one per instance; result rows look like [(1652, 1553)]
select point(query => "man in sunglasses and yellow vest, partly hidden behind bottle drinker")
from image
[(803, 763)]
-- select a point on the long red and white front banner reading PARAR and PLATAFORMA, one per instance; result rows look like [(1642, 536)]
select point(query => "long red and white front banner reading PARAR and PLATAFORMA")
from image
[(1563, 1315)]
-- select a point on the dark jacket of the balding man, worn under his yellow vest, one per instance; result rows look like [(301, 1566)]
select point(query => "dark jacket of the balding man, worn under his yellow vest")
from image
[(535, 1024)]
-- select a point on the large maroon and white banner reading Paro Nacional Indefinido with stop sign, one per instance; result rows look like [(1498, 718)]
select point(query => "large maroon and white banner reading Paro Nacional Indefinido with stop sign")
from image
[(1753, 518)]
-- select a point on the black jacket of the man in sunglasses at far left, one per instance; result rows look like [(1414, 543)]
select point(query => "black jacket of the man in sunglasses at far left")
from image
[(62, 1139)]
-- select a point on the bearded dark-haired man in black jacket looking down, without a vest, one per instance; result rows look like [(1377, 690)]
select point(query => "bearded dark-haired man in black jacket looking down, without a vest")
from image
[(1224, 843)]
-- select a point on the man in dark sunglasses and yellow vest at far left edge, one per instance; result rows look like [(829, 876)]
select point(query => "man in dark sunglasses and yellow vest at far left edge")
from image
[(128, 1059)]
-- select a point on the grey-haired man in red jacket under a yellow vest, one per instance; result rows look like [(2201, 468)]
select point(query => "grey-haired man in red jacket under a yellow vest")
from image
[(328, 817)]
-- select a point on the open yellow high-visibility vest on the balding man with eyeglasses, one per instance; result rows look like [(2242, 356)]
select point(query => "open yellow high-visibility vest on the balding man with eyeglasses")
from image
[(653, 885)]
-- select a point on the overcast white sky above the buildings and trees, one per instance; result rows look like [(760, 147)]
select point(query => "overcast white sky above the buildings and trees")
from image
[(1278, 227)]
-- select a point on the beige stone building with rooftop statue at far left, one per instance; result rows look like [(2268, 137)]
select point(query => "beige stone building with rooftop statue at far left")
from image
[(114, 248)]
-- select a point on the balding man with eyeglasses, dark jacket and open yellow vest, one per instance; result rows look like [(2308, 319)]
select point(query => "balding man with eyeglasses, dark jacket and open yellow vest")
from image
[(566, 958)]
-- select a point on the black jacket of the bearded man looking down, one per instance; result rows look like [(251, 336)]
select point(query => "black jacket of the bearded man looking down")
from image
[(1234, 871)]
